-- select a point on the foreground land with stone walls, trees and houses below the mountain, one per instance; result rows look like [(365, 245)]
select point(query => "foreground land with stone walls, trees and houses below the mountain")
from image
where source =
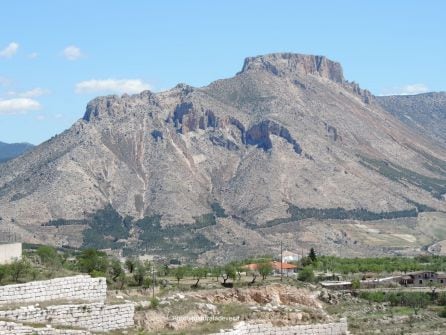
[(89, 292)]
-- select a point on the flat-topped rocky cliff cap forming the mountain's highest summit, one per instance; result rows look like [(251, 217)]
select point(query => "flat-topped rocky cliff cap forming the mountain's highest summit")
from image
[(292, 65)]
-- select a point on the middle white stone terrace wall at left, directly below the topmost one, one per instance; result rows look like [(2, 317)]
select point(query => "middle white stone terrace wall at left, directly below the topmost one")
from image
[(94, 317)]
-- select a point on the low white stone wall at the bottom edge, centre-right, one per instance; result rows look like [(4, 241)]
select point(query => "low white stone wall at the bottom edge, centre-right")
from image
[(334, 328)]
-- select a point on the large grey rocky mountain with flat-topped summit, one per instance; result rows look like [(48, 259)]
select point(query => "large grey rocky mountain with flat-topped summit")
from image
[(282, 149)]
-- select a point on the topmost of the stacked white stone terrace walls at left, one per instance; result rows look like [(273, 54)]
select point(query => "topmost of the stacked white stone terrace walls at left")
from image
[(81, 287)]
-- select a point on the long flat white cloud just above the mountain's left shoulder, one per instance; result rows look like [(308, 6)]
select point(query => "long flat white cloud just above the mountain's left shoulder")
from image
[(112, 86)]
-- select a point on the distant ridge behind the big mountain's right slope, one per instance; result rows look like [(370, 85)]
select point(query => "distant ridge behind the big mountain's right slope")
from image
[(425, 112)]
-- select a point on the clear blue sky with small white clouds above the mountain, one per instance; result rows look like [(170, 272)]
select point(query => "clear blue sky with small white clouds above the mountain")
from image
[(57, 55)]
